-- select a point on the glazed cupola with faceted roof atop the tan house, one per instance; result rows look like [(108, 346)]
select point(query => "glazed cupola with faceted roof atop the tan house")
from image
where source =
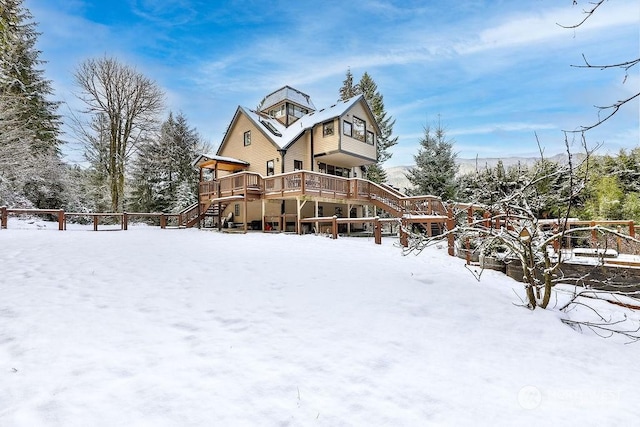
[(287, 105)]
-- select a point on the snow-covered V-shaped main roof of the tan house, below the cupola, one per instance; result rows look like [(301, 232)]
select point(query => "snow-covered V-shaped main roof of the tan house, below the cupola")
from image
[(282, 136)]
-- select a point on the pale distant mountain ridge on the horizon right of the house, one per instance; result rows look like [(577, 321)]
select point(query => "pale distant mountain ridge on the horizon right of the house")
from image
[(396, 175)]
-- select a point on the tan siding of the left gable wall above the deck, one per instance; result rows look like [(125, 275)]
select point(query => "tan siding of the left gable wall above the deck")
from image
[(257, 154)]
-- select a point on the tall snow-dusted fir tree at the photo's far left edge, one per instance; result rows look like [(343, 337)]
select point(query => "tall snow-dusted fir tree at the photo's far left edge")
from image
[(29, 123)]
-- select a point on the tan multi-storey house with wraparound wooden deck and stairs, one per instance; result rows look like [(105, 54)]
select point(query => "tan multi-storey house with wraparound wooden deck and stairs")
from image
[(289, 161)]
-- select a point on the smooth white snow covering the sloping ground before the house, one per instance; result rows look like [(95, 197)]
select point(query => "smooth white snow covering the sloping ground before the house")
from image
[(151, 327)]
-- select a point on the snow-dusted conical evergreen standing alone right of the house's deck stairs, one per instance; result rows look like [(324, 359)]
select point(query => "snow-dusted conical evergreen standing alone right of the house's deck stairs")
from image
[(435, 169)]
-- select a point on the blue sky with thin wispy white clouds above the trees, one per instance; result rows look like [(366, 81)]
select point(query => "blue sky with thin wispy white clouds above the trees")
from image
[(494, 72)]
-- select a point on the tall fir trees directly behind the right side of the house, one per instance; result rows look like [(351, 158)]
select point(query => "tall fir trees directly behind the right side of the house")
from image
[(369, 89)]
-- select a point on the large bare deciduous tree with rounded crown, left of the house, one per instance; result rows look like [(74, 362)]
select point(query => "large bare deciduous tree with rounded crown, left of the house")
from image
[(128, 103)]
